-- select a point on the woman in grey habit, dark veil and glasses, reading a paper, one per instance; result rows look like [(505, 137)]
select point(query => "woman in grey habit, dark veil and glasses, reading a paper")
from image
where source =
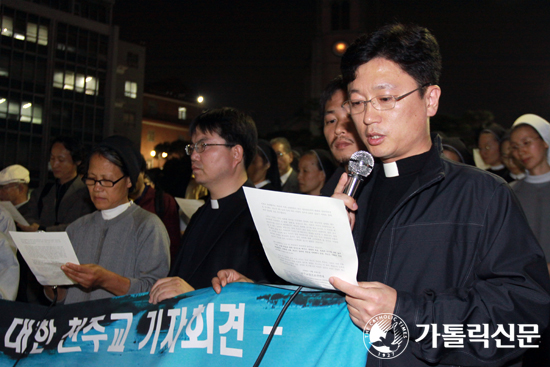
[(124, 249)]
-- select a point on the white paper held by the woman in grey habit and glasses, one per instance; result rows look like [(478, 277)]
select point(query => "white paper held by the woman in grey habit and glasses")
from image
[(45, 252)]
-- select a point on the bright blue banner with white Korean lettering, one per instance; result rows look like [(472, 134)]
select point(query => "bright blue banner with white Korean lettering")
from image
[(200, 328)]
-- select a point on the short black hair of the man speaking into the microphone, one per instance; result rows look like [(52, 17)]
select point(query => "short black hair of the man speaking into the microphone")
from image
[(411, 47)]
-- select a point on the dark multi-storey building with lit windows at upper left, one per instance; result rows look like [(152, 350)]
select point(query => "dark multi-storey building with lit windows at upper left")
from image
[(61, 74)]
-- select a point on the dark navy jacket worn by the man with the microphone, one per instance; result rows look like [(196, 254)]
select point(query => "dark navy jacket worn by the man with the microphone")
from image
[(458, 250)]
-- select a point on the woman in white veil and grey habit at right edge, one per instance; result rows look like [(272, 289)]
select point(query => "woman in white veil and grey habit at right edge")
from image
[(530, 138)]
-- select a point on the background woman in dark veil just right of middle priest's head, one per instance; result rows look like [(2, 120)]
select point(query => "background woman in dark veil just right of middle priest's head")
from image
[(264, 171)]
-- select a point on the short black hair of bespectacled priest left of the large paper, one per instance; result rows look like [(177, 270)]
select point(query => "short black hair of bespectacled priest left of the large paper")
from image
[(232, 125)]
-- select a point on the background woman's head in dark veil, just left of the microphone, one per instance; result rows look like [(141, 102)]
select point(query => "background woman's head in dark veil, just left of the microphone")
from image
[(314, 169)]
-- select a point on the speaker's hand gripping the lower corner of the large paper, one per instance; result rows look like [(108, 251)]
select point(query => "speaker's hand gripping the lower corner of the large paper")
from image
[(366, 300)]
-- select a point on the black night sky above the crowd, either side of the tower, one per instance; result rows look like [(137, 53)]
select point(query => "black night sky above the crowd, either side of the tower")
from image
[(256, 55)]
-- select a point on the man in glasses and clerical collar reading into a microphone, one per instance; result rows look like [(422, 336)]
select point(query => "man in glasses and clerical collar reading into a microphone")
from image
[(438, 242)]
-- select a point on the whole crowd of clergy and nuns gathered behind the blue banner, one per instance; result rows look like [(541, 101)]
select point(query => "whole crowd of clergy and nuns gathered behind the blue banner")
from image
[(439, 240)]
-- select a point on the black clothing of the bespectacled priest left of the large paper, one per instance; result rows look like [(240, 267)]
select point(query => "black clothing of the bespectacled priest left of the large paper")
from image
[(225, 238)]
